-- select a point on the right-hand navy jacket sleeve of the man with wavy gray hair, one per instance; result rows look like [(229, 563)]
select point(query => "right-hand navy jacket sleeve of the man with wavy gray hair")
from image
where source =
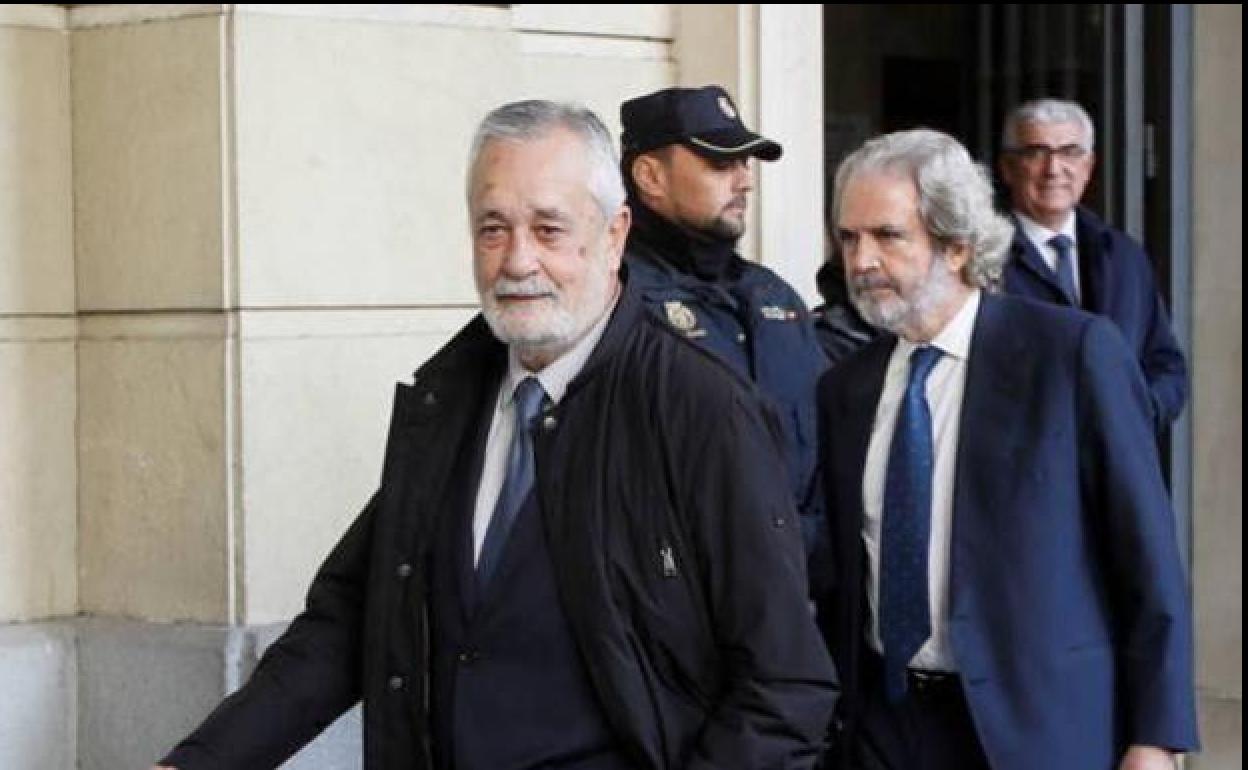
[(1149, 591)]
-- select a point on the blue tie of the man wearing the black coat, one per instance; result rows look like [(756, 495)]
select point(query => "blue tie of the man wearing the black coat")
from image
[(519, 482)]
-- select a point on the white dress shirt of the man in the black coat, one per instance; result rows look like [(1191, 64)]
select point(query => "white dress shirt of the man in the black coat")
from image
[(555, 380)]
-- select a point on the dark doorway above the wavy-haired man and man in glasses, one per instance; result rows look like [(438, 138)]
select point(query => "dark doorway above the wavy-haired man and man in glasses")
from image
[(960, 68)]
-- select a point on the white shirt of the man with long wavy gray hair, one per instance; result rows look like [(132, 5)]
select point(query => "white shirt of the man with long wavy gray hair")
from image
[(945, 389)]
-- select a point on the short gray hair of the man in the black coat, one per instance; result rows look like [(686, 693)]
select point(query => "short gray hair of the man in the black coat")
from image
[(536, 119)]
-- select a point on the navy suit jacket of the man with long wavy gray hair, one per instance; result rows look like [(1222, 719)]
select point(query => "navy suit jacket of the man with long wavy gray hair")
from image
[(1069, 613)]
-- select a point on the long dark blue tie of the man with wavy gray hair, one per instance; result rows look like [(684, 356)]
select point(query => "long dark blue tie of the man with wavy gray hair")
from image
[(905, 621)]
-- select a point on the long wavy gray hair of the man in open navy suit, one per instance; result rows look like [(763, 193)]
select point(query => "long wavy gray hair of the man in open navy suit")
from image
[(955, 195)]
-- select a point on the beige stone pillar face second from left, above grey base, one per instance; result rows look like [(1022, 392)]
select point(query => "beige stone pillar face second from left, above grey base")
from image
[(150, 182)]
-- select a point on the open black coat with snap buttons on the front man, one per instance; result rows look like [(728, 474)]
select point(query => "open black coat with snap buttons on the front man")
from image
[(676, 551)]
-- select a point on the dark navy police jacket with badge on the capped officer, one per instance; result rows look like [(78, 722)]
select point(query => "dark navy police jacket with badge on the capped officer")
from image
[(751, 319)]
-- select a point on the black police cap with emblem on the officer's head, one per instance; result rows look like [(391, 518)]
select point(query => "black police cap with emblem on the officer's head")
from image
[(704, 120)]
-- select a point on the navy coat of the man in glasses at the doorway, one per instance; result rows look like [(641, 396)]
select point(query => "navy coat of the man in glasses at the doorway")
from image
[(1116, 279)]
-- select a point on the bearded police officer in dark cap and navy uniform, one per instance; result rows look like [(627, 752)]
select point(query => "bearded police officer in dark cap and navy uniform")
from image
[(687, 168)]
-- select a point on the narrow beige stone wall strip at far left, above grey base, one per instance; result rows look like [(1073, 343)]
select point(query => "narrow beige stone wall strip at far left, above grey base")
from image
[(38, 470)]
